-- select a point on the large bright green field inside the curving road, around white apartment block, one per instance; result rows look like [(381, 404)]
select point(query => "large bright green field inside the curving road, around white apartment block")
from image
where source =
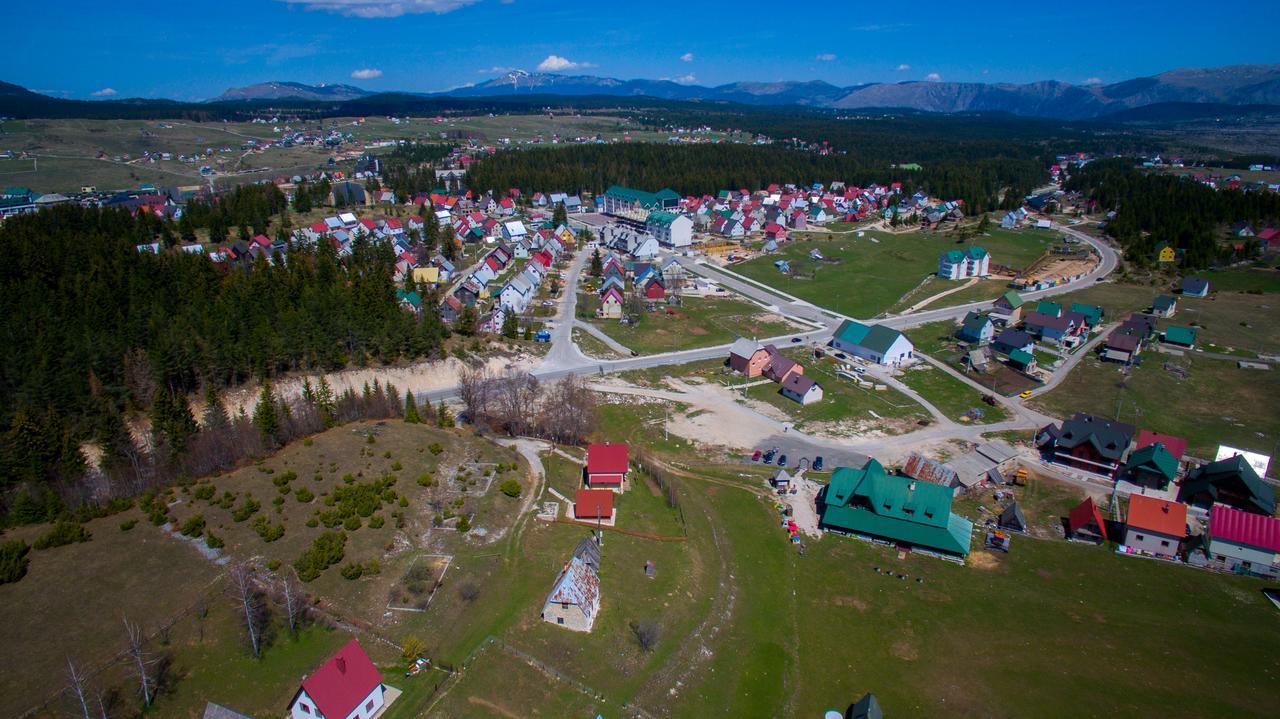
[(868, 276)]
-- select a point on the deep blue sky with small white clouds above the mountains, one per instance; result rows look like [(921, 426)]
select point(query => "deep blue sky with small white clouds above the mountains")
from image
[(195, 49)]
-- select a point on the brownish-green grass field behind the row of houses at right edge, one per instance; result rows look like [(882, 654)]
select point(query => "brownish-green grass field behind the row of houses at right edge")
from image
[(1217, 405)]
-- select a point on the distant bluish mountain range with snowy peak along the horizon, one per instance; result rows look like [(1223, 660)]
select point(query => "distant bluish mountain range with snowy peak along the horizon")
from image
[(1233, 85)]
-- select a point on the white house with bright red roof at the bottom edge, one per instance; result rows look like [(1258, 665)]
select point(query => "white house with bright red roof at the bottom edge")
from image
[(346, 686)]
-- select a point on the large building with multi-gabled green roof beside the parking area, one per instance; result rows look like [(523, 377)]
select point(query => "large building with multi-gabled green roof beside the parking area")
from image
[(899, 511)]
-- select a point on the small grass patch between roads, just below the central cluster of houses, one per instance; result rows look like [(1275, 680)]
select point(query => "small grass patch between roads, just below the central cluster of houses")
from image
[(700, 322)]
